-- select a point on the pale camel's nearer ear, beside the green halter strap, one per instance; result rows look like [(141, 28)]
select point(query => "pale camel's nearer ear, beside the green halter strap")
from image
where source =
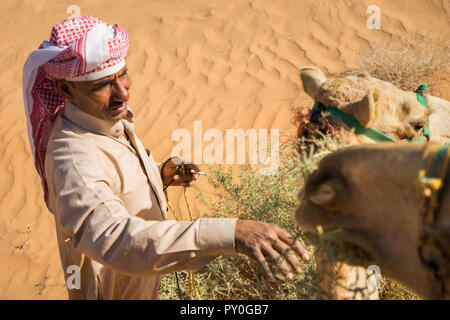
[(365, 111)]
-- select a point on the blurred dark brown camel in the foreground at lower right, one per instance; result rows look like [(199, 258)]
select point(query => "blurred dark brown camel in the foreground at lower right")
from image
[(392, 201)]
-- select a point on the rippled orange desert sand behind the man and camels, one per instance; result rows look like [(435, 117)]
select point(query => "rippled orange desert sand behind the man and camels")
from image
[(230, 64)]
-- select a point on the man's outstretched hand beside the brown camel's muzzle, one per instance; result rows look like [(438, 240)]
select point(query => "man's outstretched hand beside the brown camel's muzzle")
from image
[(260, 241)]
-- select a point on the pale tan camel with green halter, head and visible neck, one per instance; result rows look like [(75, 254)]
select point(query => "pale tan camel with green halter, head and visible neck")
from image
[(377, 110)]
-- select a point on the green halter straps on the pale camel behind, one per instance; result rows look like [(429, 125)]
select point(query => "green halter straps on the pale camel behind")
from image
[(373, 134)]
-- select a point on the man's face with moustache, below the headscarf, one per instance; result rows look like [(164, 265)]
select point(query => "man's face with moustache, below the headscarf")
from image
[(104, 98)]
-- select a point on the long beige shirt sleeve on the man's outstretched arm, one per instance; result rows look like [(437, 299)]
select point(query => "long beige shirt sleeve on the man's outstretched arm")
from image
[(95, 219)]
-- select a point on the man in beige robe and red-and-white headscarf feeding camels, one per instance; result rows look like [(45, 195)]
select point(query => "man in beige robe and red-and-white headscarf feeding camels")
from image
[(104, 189)]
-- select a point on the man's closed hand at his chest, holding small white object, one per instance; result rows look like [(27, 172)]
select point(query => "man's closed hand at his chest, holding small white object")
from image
[(172, 170)]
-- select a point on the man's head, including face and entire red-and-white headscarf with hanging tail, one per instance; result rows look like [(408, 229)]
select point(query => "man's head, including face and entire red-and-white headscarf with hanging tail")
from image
[(83, 62)]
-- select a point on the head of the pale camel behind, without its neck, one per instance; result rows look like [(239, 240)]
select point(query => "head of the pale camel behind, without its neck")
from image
[(373, 103)]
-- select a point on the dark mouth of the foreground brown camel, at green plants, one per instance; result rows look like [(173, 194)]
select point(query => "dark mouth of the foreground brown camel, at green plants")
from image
[(336, 246)]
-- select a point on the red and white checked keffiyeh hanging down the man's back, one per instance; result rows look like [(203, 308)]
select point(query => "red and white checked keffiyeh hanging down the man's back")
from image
[(80, 49)]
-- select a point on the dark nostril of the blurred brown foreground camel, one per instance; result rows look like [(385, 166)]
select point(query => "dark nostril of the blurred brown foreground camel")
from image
[(328, 194)]
